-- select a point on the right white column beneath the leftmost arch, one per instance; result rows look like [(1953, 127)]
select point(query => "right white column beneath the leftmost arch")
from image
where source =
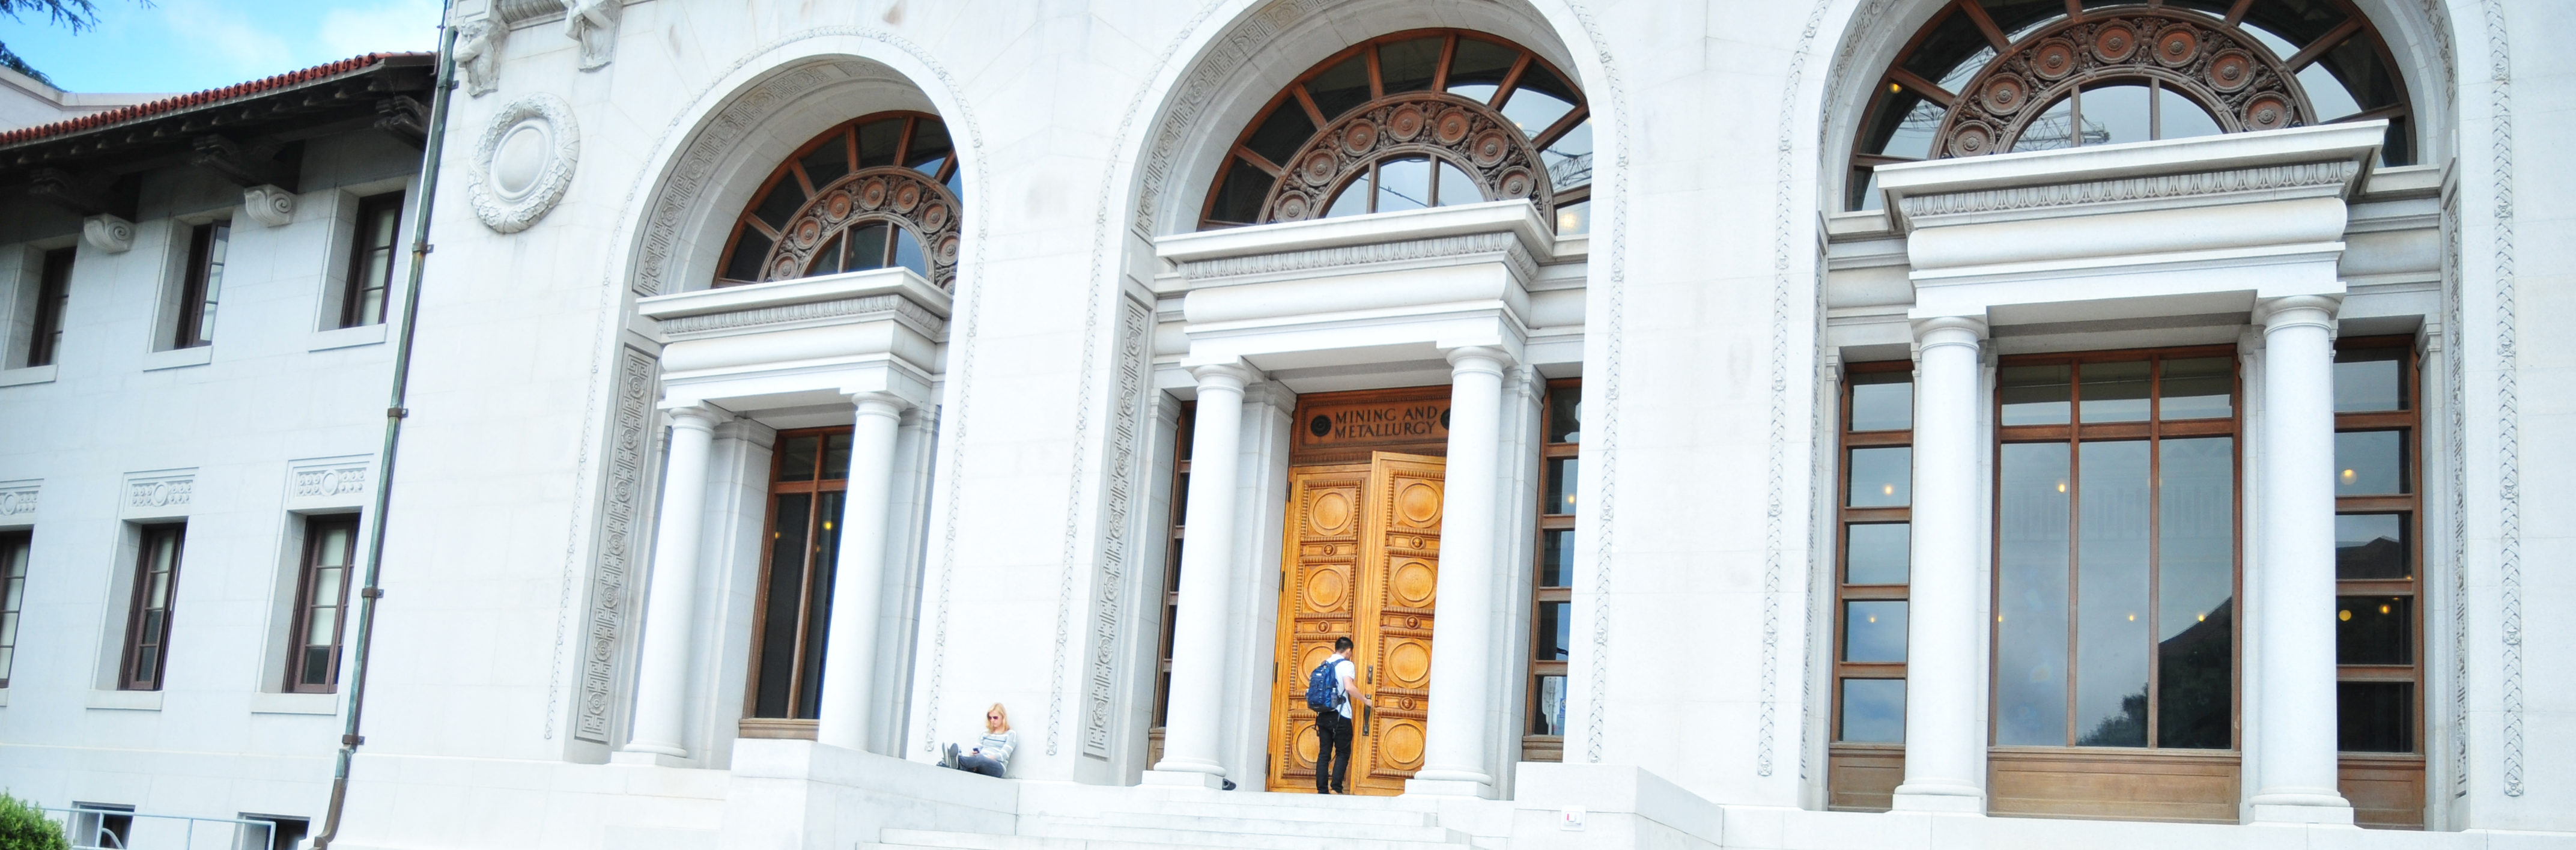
[(859, 576)]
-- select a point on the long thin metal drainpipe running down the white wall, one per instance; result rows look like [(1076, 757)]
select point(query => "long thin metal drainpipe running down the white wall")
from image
[(393, 421)]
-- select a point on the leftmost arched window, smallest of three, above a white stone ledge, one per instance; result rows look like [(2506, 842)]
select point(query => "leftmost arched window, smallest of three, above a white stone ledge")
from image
[(869, 194)]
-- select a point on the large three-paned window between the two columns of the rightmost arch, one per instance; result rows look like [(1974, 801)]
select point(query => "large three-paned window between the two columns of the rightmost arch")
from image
[(2116, 552)]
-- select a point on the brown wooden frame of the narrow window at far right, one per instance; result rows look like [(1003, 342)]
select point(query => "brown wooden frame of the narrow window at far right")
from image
[(2407, 421)]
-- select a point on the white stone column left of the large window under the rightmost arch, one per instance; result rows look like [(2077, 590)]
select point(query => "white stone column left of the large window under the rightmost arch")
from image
[(1946, 741)]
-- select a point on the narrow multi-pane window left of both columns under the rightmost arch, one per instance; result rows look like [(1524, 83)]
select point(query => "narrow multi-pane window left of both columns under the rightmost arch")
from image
[(1871, 583)]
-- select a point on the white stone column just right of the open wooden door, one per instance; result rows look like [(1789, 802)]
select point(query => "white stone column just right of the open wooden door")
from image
[(1462, 637)]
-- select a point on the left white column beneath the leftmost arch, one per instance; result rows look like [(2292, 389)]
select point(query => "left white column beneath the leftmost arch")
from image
[(674, 594)]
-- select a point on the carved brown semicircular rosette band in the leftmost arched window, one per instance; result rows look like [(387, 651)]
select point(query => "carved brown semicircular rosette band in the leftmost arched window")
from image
[(885, 194)]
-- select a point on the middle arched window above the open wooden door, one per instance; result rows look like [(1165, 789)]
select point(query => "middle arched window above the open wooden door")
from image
[(1408, 122)]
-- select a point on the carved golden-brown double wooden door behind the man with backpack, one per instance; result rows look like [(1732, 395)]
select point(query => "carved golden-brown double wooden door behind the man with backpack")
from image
[(1361, 560)]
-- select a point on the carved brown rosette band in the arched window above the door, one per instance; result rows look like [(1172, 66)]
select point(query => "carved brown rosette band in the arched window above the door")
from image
[(1444, 127)]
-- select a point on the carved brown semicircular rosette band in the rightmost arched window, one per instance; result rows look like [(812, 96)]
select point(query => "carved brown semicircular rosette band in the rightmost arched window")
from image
[(2235, 79)]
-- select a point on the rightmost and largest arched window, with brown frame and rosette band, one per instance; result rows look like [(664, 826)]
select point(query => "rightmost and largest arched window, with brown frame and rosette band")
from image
[(2005, 76)]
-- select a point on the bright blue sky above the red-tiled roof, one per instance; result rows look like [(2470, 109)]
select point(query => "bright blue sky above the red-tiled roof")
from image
[(194, 45)]
